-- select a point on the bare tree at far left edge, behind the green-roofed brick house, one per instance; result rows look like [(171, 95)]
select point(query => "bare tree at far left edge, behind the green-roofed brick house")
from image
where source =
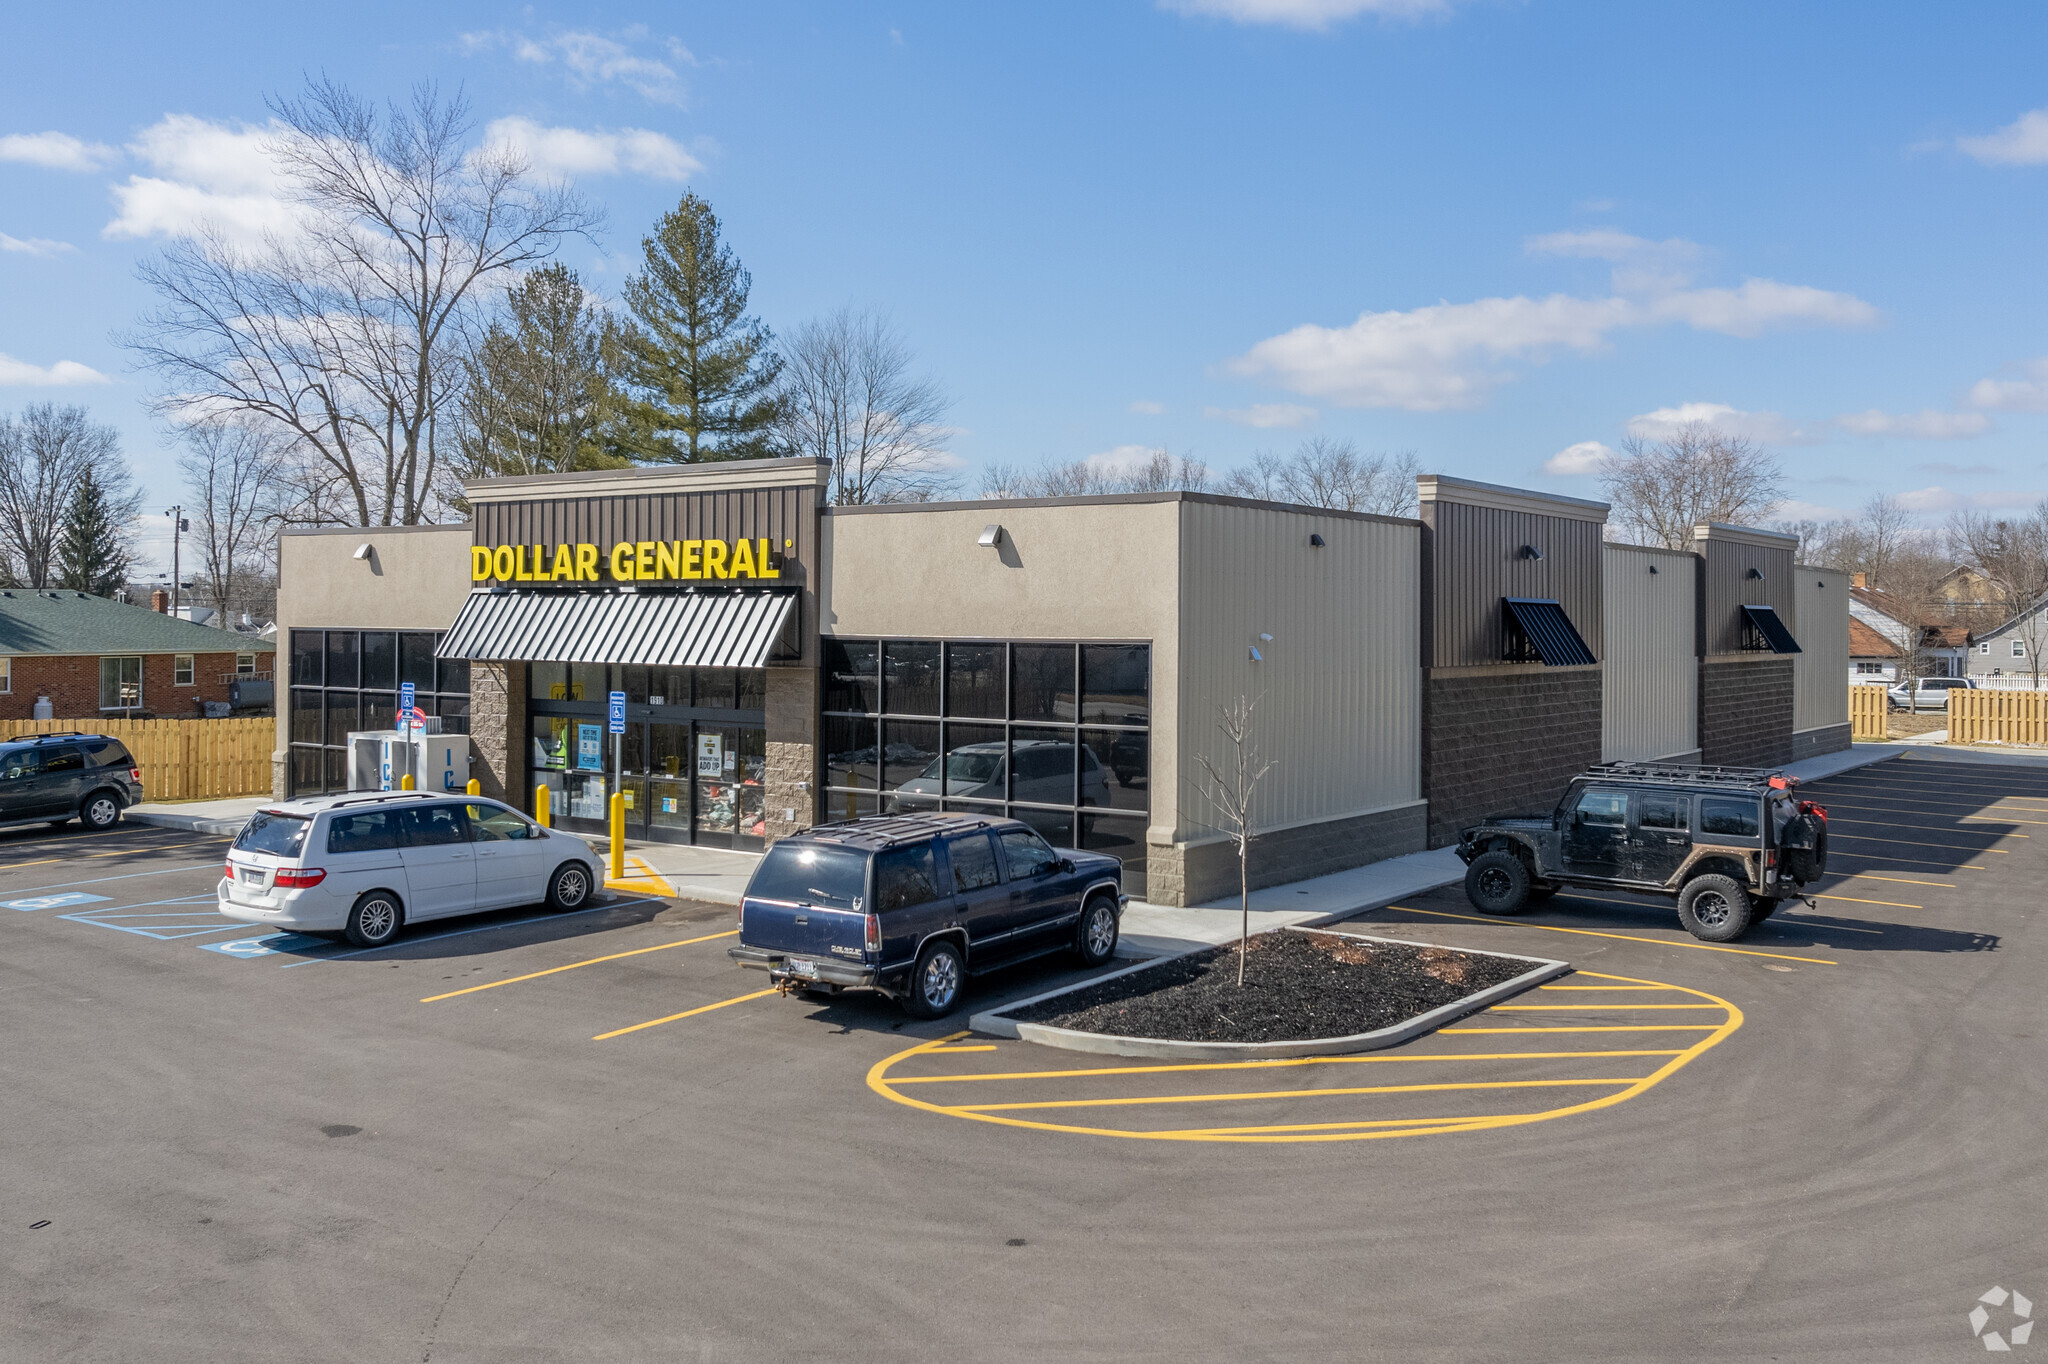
[(44, 458)]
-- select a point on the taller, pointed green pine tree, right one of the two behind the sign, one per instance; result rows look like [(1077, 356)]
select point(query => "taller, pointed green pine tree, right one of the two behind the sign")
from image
[(699, 370)]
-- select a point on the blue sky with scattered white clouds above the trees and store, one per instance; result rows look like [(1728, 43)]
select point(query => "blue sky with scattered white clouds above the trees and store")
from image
[(1488, 232)]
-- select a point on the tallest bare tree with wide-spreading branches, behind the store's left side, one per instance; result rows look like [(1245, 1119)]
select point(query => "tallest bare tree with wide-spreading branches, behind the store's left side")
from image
[(343, 331)]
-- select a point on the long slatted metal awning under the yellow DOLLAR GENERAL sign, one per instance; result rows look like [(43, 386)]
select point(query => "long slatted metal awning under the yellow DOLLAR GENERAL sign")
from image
[(665, 630)]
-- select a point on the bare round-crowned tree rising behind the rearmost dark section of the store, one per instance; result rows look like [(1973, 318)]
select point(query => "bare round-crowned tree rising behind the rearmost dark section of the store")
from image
[(1693, 476)]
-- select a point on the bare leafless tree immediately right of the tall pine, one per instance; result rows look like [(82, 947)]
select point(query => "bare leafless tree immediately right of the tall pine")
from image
[(849, 396)]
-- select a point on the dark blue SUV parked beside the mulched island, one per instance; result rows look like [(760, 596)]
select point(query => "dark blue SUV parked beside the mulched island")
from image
[(916, 904)]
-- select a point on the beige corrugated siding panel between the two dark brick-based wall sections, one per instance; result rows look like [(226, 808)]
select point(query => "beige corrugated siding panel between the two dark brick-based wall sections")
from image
[(1652, 681)]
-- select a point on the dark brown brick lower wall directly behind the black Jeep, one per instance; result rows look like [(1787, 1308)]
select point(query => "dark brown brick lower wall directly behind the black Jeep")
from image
[(1504, 742)]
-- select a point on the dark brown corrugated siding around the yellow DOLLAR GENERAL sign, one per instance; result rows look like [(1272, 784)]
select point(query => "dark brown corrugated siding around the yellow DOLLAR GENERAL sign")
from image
[(738, 513)]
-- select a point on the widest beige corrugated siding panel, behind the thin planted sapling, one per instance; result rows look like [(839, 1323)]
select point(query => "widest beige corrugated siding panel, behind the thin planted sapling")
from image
[(1340, 689)]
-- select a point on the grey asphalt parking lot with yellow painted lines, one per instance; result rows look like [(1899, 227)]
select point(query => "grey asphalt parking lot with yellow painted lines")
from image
[(538, 1138)]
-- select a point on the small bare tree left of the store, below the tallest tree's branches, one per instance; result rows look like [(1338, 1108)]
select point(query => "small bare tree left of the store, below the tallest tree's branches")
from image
[(232, 474)]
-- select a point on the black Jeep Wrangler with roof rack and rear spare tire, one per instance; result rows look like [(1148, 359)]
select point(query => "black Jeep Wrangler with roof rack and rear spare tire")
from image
[(1730, 843)]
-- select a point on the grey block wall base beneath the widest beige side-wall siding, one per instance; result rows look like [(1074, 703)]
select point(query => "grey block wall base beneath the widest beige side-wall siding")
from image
[(1197, 873)]
